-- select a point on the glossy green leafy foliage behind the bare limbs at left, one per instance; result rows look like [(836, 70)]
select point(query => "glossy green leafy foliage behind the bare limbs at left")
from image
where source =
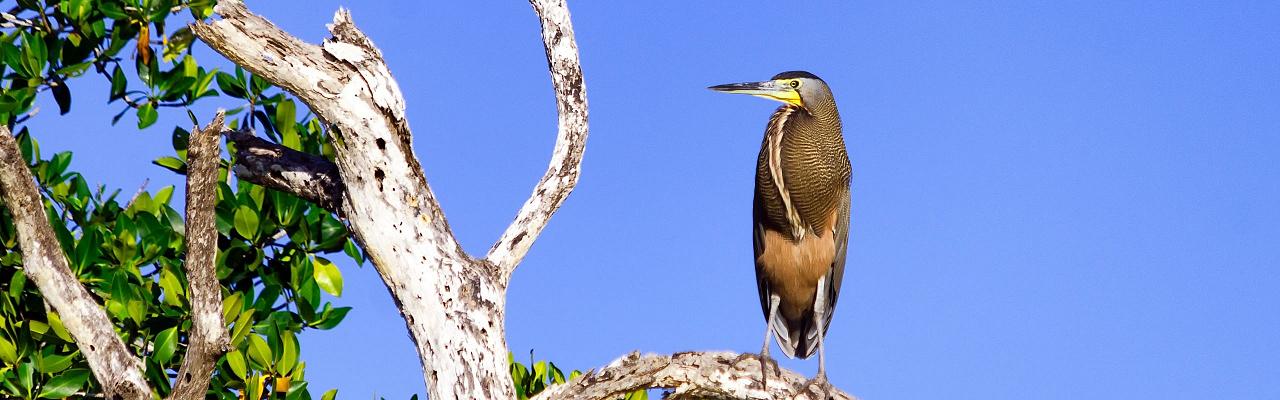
[(273, 247)]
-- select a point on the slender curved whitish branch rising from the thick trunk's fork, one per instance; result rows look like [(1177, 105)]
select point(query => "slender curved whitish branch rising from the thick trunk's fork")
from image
[(564, 171)]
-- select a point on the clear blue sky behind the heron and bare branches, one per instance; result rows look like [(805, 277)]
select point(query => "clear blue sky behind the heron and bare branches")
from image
[(1050, 201)]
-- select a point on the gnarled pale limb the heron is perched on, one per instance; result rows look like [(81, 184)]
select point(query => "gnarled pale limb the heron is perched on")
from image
[(691, 376)]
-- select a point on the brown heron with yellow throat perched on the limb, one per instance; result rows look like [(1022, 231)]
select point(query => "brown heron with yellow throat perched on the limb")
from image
[(801, 213)]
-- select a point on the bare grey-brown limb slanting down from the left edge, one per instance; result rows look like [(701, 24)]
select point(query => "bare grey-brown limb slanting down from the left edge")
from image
[(116, 369)]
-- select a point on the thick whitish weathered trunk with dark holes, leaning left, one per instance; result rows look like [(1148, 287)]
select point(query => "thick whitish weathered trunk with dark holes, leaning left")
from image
[(452, 304)]
